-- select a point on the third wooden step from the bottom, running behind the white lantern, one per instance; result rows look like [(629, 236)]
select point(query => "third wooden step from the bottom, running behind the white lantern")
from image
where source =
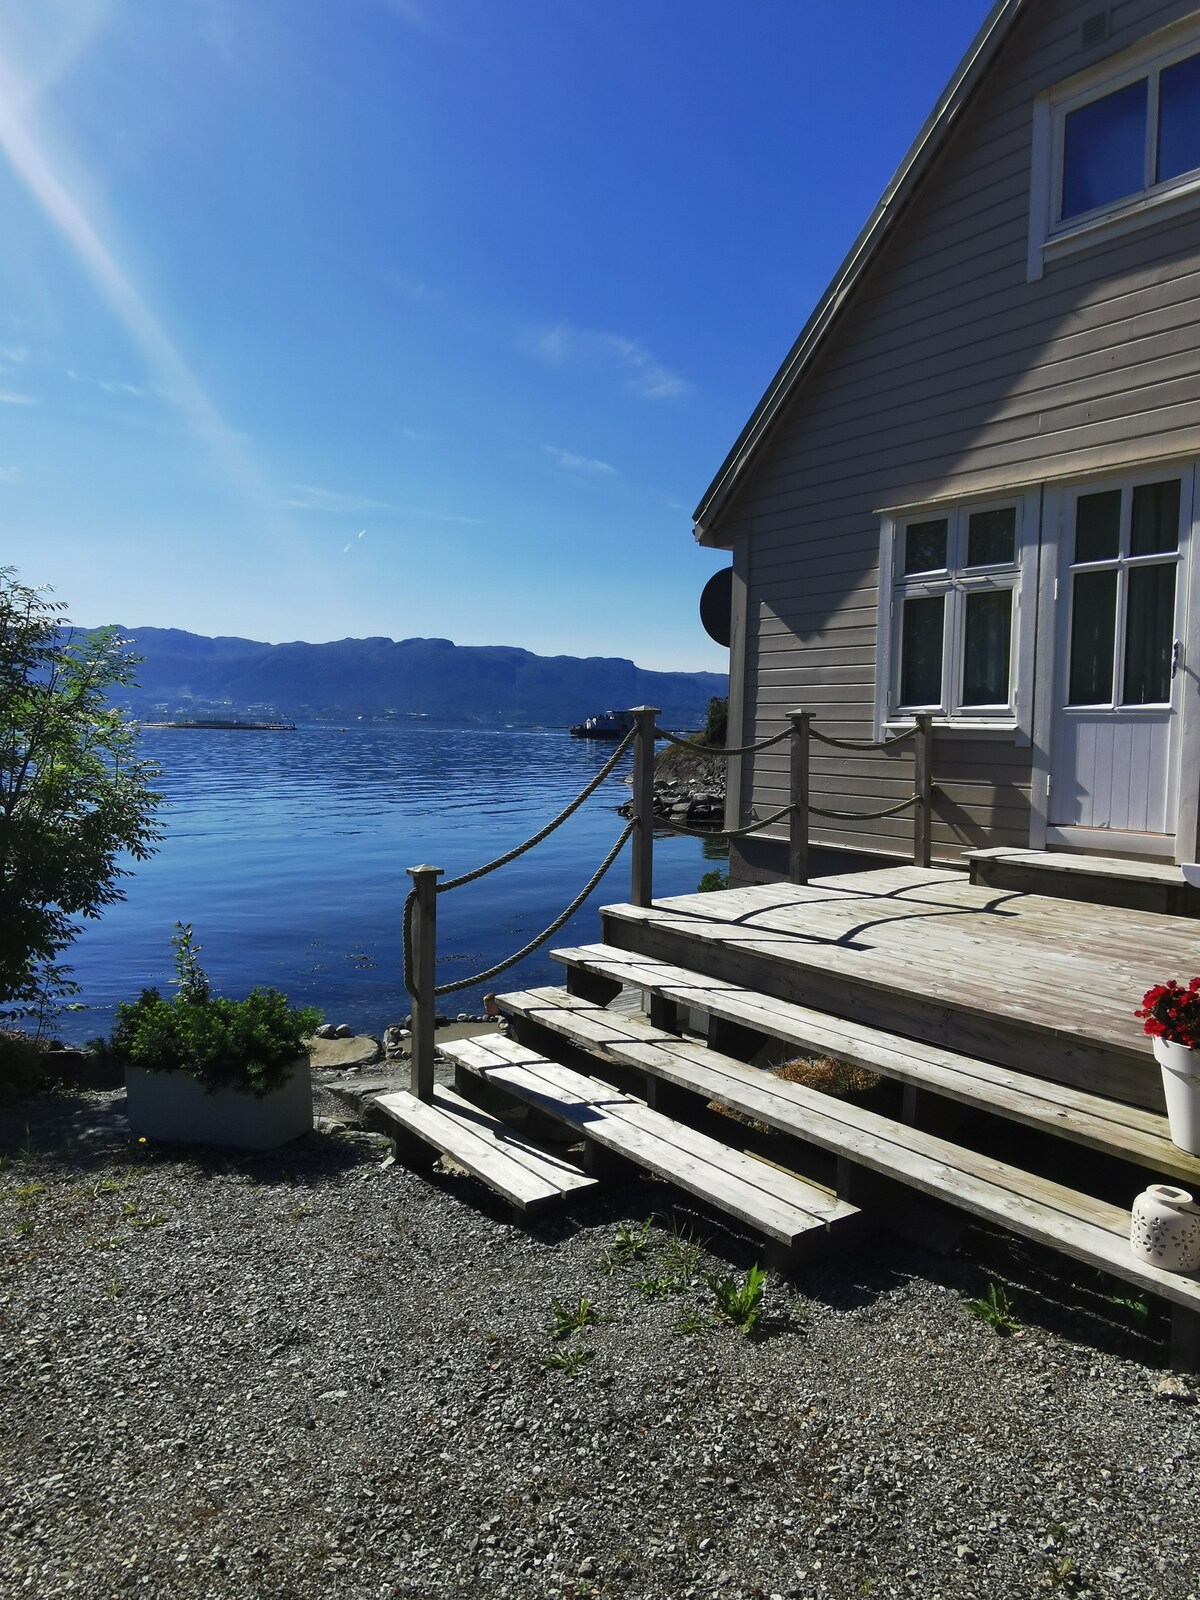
[(1092, 1231)]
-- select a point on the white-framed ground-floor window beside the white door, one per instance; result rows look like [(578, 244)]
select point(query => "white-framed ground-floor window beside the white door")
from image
[(951, 630)]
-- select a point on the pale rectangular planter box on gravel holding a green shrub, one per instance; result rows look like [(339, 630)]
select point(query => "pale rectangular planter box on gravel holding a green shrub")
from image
[(175, 1108)]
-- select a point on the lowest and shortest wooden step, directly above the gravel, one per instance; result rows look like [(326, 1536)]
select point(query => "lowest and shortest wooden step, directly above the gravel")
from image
[(527, 1177)]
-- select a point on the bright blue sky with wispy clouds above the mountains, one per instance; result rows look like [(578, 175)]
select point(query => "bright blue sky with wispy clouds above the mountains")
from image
[(418, 318)]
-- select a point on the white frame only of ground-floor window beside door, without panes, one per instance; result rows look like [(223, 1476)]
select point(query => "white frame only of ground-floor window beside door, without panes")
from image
[(958, 582)]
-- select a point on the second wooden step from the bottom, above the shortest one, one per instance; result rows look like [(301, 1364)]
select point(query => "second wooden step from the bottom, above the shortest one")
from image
[(777, 1204)]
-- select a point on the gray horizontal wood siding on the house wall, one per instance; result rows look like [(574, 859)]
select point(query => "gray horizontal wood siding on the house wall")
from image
[(950, 374)]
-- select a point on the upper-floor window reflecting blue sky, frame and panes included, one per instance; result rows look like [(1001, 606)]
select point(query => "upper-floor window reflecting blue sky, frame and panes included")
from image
[(1118, 146)]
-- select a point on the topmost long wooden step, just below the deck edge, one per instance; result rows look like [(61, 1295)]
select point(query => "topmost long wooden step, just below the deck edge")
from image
[(1129, 1132)]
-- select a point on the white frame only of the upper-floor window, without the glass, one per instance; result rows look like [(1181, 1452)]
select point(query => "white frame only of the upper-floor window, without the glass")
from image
[(1050, 238)]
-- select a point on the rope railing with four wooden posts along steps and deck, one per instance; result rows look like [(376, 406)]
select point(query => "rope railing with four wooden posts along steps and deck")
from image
[(420, 913)]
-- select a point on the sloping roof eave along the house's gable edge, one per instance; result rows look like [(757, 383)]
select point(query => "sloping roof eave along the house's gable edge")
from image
[(905, 180)]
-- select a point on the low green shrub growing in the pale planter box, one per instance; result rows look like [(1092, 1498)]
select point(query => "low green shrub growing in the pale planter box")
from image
[(225, 1044)]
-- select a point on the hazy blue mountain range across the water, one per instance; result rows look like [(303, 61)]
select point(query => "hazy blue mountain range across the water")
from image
[(193, 676)]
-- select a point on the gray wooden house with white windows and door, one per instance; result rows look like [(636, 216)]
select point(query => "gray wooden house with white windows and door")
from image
[(970, 490)]
